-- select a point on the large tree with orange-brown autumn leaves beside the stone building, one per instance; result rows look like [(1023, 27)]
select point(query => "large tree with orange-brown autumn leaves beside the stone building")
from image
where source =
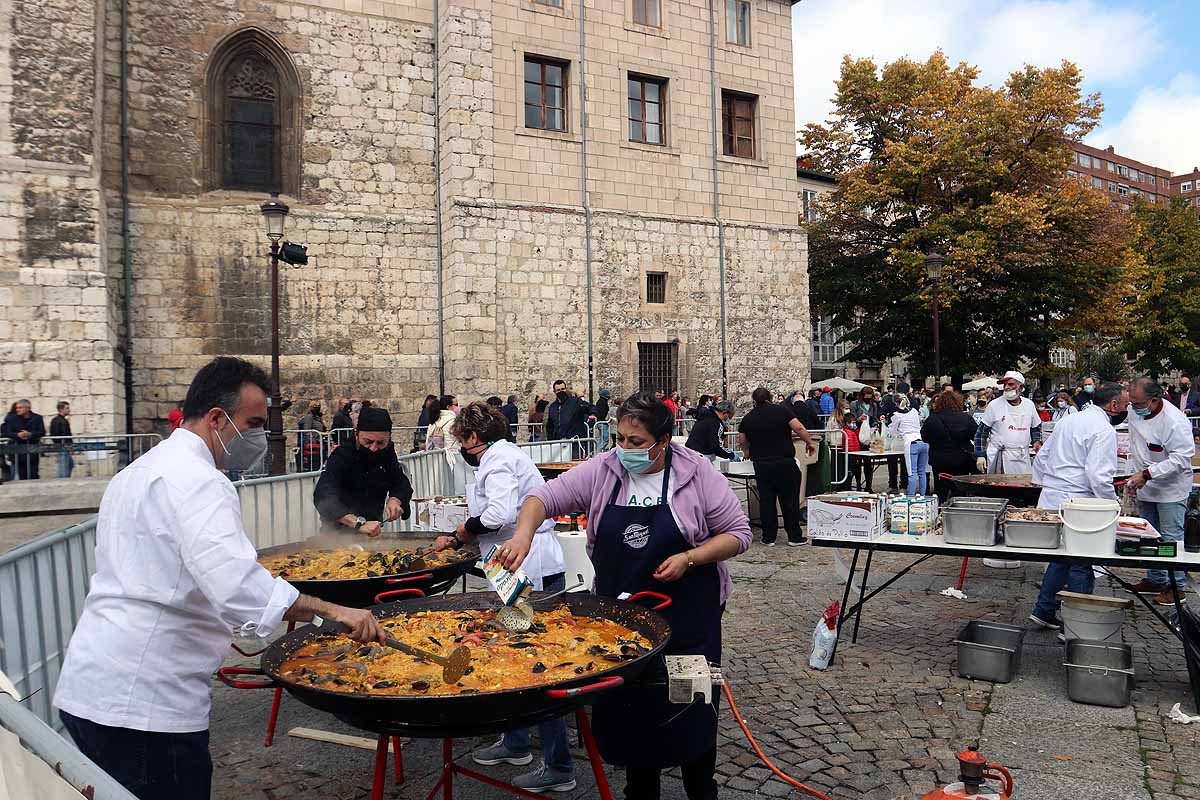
[(926, 159)]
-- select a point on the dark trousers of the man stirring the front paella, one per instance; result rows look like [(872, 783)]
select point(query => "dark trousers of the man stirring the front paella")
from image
[(151, 766)]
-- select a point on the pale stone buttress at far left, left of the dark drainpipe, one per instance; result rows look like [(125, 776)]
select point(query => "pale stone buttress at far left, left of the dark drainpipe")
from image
[(58, 332)]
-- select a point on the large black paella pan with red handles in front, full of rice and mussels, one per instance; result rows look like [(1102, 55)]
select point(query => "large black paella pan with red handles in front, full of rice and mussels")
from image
[(423, 709)]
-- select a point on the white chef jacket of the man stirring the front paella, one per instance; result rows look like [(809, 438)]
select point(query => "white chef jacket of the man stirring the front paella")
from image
[(176, 576)]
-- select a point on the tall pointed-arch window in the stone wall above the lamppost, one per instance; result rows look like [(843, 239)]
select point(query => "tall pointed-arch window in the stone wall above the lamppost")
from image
[(254, 116)]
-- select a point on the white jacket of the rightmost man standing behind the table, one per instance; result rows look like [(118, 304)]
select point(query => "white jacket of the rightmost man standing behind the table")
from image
[(1165, 446)]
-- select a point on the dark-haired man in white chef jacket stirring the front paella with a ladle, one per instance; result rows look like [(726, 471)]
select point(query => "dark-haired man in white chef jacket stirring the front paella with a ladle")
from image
[(176, 578)]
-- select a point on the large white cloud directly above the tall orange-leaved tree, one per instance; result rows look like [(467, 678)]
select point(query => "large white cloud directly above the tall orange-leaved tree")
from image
[(1111, 45)]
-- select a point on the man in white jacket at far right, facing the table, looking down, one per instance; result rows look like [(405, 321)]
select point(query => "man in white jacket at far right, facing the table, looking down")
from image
[(1162, 447)]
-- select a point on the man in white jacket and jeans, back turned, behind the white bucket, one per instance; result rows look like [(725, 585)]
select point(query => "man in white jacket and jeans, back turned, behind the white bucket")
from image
[(1079, 461)]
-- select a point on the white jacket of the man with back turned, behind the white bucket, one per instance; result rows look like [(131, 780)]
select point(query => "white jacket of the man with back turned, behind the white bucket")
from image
[(1079, 461)]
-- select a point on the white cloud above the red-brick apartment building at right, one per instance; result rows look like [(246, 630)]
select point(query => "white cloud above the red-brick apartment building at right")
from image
[(1161, 127)]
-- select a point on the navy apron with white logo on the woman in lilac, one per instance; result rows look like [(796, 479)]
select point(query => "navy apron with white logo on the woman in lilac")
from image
[(637, 726)]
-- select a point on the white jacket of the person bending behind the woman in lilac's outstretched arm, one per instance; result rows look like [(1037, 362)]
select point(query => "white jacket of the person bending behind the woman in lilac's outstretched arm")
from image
[(506, 477)]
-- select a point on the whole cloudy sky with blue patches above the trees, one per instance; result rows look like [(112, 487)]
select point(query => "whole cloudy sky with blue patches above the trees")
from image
[(1144, 58)]
